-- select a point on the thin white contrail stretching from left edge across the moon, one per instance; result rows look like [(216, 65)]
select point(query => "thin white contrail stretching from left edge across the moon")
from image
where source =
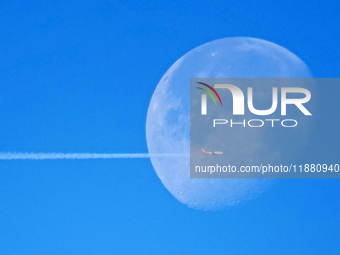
[(41, 156)]
